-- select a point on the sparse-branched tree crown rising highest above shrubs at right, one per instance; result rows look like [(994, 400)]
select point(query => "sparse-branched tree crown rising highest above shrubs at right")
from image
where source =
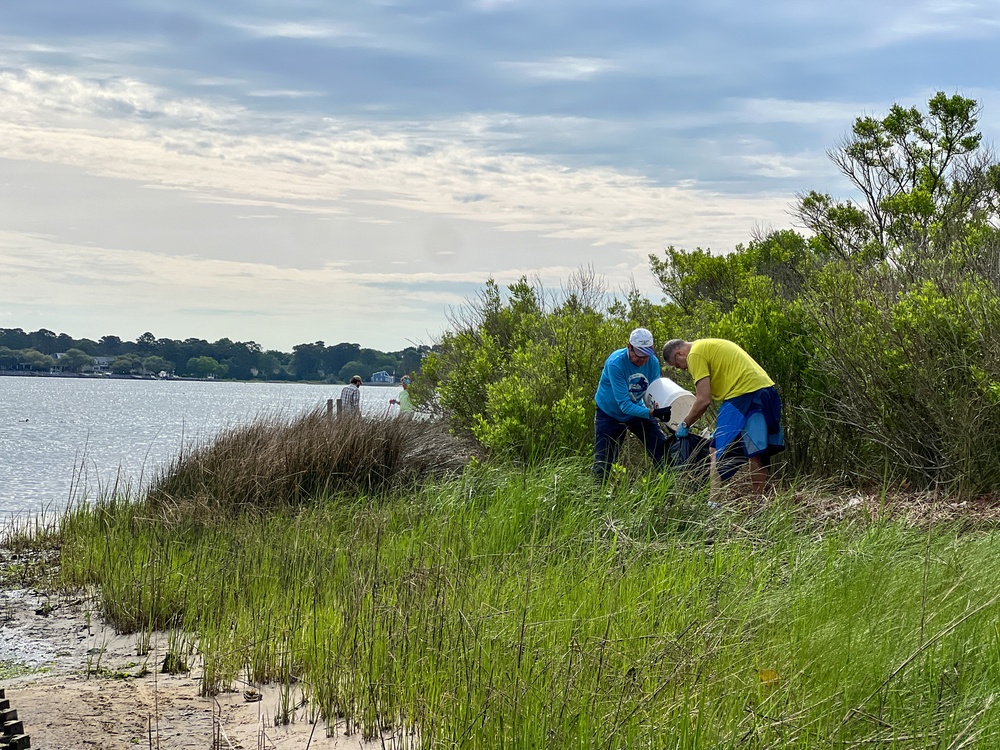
[(922, 182)]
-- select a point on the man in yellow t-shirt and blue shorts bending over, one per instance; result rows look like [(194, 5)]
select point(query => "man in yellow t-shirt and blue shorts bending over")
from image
[(748, 427)]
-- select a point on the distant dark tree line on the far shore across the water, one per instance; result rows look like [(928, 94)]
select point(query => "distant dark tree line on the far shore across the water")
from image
[(45, 350)]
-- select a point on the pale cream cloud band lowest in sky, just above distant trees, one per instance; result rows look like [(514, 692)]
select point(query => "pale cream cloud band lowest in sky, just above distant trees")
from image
[(87, 288)]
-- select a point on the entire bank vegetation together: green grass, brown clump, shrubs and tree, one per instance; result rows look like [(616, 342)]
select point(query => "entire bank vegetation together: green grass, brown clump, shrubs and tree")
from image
[(463, 582)]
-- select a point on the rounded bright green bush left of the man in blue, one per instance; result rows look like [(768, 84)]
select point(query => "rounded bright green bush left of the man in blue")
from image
[(519, 370)]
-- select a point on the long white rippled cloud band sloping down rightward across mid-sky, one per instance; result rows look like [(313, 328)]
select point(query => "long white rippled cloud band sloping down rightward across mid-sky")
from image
[(128, 130)]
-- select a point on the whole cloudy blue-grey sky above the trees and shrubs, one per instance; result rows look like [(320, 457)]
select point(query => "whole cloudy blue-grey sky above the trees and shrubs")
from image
[(307, 170)]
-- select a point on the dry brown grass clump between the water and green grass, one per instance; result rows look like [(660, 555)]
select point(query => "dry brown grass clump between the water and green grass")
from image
[(277, 462)]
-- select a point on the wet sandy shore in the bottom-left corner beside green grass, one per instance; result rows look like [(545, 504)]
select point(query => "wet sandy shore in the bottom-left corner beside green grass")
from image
[(48, 662)]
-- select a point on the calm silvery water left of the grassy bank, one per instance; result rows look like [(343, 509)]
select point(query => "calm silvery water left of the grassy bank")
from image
[(57, 433)]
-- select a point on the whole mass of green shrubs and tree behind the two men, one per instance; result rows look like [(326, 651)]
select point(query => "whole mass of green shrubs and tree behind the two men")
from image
[(881, 329)]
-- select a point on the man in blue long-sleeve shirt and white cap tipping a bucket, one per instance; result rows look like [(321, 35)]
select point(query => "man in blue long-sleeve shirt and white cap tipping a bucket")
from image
[(626, 376)]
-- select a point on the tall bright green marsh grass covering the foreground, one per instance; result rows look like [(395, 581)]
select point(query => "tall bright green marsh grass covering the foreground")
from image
[(520, 609)]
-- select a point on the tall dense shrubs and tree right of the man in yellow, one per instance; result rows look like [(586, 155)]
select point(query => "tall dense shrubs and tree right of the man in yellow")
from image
[(878, 330)]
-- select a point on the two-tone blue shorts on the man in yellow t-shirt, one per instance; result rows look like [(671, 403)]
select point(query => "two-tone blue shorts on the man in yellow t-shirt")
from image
[(748, 426)]
